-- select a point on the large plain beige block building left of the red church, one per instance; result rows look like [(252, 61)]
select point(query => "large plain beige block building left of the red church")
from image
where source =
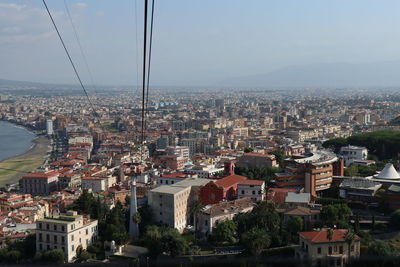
[(170, 203)]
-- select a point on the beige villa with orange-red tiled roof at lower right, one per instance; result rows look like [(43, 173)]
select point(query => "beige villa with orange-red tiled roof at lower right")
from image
[(327, 247)]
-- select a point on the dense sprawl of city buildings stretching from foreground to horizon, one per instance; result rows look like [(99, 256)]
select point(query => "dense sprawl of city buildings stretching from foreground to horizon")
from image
[(225, 151)]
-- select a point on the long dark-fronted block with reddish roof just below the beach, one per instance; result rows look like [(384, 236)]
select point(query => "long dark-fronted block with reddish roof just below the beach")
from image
[(39, 183)]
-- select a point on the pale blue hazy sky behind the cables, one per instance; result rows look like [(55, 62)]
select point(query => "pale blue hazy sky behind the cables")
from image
[(196, 42)]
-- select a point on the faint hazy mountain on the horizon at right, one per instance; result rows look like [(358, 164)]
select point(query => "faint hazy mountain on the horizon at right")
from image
[(325, 75)]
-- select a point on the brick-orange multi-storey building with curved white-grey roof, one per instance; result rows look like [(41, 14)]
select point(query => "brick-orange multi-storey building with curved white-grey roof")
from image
[(313, 172)]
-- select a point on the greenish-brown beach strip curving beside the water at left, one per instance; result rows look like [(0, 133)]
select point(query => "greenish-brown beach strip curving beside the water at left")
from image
[(11, 170)]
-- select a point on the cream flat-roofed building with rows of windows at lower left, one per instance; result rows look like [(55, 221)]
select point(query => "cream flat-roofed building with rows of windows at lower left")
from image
[(68, 232)]
